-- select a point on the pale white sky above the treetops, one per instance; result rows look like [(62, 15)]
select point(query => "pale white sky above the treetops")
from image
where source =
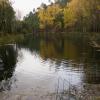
[(23, 7)]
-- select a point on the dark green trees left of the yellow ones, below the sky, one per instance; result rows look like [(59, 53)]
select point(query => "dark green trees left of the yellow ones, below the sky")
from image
[(9, 23)]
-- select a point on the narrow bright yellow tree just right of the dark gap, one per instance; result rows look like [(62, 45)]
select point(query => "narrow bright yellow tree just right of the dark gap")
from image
[(70, 14)]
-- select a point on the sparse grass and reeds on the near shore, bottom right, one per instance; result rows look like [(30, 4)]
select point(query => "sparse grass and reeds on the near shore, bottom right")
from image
[(71, 92)]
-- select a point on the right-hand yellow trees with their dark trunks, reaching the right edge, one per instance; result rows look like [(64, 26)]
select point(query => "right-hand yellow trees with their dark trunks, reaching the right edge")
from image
[(82, 15)]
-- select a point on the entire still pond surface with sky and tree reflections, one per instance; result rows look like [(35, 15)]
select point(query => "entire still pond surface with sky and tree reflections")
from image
[(36, 69)]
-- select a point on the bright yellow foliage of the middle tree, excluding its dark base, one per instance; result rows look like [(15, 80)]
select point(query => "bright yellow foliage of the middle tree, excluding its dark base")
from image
[(47, 16)]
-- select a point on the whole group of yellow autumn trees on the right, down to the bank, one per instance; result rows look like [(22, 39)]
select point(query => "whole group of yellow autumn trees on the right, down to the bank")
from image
[(74, 15)]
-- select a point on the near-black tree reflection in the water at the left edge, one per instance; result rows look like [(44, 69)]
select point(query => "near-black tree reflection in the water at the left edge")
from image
[(8, 59)]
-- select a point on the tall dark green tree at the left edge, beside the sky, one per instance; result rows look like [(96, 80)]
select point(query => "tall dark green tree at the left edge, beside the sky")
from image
[(7, 17)]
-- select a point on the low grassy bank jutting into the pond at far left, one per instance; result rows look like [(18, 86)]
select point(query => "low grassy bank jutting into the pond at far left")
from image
[(12, 38)]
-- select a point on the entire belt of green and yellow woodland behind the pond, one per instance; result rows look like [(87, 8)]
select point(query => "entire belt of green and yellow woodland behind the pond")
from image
[(59, 16)]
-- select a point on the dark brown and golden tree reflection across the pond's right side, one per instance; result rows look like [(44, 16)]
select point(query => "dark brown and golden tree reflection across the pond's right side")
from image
[(80, 57)]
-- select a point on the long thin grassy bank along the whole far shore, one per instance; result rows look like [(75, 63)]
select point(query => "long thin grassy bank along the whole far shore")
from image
[(76, 36)]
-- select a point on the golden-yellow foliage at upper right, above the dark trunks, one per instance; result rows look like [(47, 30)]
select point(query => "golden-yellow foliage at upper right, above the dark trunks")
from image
[(80, 9)]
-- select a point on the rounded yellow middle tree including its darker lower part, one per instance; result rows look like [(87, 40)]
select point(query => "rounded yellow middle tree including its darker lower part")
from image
[(51, 17)]
